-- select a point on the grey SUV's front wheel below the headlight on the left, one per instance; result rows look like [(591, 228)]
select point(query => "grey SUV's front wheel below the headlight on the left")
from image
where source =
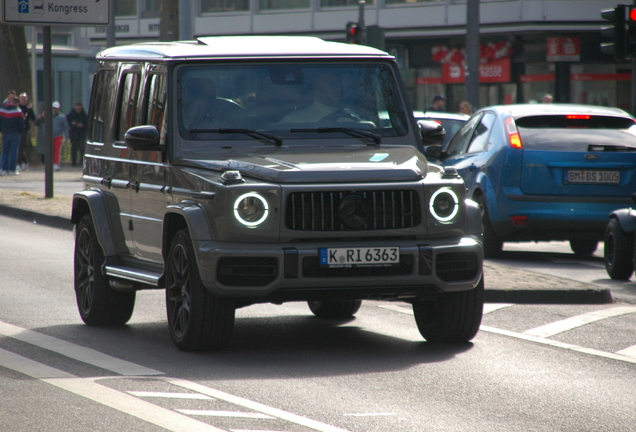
[(198, 320)]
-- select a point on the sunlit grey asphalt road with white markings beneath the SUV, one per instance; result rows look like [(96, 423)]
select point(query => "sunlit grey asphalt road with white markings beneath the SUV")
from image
[(531, 367)]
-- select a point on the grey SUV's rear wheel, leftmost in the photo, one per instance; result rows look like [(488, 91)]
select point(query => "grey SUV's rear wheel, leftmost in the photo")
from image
[(97, 302)]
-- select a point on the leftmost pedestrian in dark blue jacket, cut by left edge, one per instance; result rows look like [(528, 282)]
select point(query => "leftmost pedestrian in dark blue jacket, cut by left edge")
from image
[(11, 126)]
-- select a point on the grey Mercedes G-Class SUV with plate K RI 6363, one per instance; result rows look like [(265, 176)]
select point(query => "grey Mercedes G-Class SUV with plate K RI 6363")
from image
[(231, 171)]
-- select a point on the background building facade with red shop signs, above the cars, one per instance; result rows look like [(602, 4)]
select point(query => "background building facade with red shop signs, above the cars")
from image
[(528, 47)]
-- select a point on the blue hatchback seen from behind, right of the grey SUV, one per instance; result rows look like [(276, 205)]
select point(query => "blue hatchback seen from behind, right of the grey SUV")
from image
[(544, 172)]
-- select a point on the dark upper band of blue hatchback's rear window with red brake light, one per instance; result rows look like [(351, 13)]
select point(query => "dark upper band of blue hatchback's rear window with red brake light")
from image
[(577, 121)]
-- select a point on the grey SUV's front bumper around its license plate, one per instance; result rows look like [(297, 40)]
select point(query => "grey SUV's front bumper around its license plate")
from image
[(291, 271)]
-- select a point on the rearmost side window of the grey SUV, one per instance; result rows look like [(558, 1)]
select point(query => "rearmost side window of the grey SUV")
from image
[(101, 98)]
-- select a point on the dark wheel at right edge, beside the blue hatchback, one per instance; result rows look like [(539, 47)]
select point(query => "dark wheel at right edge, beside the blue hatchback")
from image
[(619, 251)]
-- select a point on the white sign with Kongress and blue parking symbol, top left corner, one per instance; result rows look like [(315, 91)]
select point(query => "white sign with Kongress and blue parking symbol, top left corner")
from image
[(56, 12)]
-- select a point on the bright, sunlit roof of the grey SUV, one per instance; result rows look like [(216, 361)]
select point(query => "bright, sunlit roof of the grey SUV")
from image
[(241, 46)]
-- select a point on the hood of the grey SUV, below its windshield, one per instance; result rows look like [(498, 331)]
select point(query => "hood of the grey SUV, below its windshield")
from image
[(323, 165)]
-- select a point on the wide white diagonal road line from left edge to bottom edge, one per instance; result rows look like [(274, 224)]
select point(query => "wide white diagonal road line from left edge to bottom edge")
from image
[(89, 389)]
